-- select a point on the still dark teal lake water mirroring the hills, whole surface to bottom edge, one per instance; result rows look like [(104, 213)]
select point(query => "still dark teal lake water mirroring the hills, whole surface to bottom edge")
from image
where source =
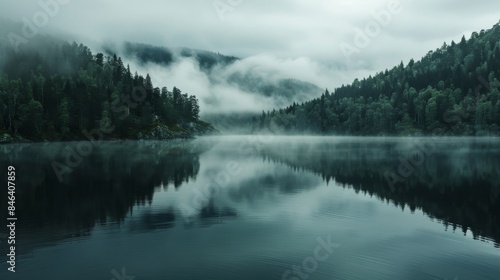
[(251, 207)]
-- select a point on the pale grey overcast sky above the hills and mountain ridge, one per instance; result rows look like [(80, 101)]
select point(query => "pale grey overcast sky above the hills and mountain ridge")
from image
[(295, 33)]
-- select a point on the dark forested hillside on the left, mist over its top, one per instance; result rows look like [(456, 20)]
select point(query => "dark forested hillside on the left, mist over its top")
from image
[(55, 90)]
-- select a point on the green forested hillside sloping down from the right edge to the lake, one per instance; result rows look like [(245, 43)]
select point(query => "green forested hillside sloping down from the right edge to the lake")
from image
[(454, 90)]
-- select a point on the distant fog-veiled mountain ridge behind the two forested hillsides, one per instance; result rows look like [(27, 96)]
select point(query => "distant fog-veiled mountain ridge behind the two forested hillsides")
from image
[(222, 70)]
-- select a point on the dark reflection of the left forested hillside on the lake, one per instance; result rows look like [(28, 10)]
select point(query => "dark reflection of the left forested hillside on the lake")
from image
[(104, 188)]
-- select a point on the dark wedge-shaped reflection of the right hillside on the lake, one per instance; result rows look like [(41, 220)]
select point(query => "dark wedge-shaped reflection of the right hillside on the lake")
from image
[(458, 183)]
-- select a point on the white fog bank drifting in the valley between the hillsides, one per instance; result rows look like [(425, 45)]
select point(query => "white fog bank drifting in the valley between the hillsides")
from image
[(219, 94)]
